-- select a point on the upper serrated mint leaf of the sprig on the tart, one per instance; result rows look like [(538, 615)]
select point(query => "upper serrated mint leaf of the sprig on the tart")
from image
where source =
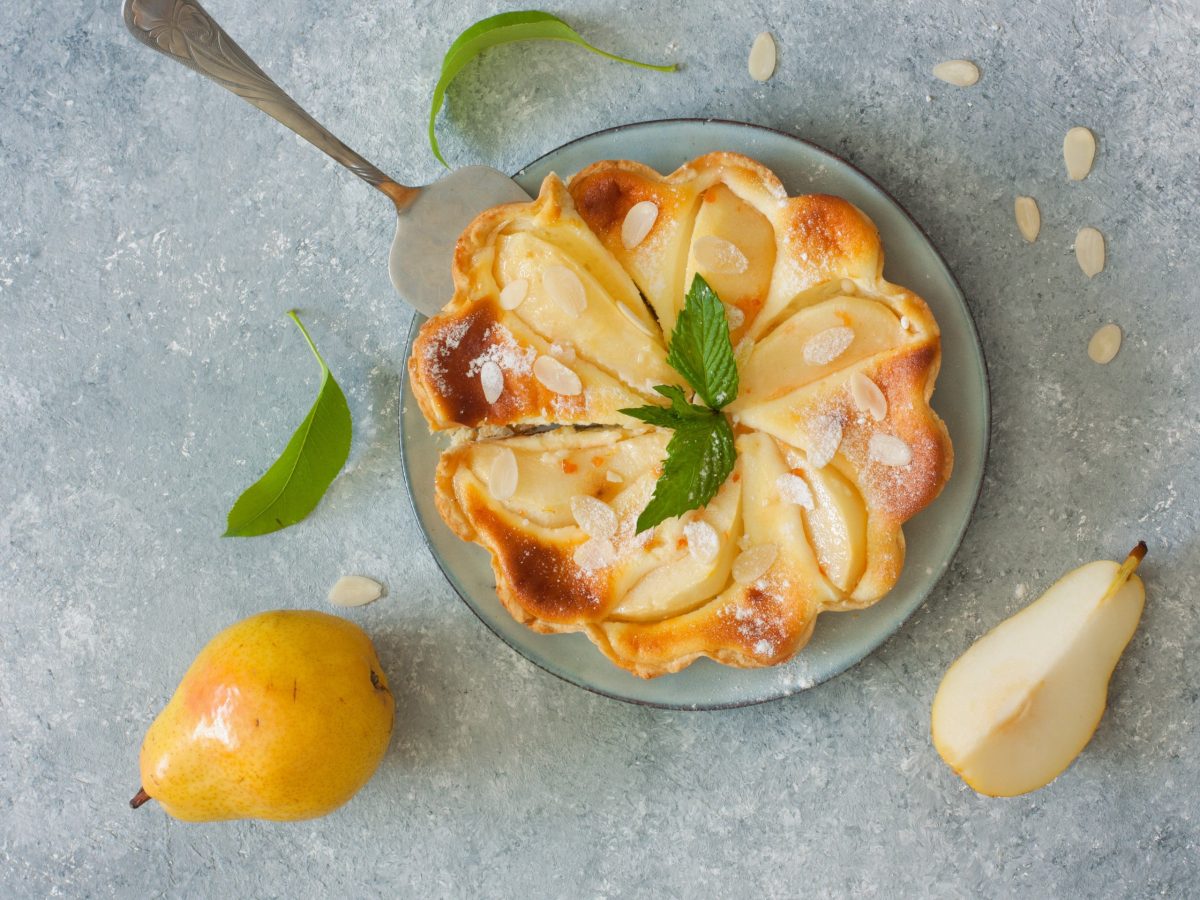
[(701, 350)]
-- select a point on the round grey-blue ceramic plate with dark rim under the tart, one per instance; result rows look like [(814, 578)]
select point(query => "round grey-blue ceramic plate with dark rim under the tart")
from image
[(842, 639)]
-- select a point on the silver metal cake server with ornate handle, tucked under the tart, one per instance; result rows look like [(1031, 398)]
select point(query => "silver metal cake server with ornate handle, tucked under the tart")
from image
[(430, 219)]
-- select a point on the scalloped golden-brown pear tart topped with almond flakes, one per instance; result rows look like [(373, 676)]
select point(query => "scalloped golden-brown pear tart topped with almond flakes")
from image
[(837, 445)]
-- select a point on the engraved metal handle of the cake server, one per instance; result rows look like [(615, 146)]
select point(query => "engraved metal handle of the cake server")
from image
[(183, 31)]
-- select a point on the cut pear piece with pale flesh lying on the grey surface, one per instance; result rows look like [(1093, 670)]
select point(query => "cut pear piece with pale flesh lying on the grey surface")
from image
[(1019, 706)]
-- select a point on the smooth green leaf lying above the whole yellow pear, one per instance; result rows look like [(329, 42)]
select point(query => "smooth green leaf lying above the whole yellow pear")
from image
[(297, 482)]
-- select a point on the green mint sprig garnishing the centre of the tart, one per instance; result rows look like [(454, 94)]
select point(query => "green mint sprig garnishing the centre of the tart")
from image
[(701, 453)]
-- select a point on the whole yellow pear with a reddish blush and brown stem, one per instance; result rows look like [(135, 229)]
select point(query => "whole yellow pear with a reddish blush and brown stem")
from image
[(284, 716)]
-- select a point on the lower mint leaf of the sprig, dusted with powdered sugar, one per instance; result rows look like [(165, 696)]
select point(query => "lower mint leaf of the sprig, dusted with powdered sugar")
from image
[(700, 458)]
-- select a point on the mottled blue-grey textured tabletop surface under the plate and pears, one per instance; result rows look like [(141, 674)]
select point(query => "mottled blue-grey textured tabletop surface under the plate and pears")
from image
[(154, 232)]
